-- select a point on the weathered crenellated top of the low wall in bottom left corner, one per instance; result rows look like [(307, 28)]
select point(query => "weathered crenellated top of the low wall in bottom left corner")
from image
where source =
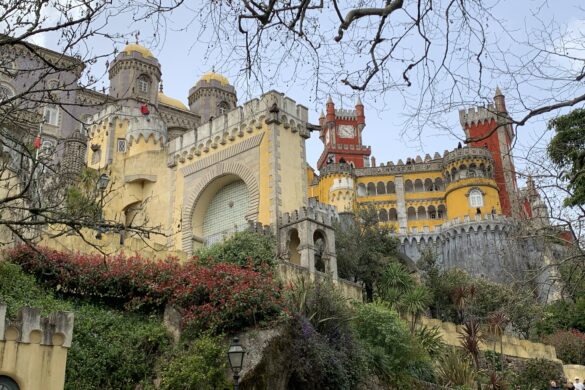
[(30, 328)]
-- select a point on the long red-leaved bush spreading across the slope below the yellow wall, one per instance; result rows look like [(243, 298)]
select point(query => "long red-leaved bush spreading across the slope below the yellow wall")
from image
[(217, 296)]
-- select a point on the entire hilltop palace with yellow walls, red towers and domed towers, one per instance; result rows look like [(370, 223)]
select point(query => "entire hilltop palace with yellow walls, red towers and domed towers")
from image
[(204, 171)]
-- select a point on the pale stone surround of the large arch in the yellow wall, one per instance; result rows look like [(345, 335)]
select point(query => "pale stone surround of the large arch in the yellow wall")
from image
[(201, 195)]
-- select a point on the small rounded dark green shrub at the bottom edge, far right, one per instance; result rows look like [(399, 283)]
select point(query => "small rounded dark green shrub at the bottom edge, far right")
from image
[(536, 374)]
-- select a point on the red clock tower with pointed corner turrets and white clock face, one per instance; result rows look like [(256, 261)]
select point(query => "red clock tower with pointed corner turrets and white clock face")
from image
[(341, 132)]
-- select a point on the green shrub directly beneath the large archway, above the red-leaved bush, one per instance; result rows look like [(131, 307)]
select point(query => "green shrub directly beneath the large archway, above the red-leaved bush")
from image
[(240, 248)]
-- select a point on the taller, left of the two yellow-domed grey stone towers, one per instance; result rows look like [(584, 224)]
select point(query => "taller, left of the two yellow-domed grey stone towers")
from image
[(135, 76)]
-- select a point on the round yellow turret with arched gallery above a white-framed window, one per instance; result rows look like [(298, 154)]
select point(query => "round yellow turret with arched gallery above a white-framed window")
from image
[(471, 189)]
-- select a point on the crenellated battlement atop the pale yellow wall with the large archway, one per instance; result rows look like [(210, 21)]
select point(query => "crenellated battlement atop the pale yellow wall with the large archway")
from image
[(272, 107)]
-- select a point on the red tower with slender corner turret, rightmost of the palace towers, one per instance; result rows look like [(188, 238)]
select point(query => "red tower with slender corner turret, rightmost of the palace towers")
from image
[(491, 128)]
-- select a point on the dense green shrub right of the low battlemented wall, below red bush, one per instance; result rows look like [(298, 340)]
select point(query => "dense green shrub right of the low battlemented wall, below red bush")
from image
[(113, 350)]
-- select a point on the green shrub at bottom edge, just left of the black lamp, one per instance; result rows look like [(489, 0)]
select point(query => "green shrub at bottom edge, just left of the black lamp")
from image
[(202, 366)]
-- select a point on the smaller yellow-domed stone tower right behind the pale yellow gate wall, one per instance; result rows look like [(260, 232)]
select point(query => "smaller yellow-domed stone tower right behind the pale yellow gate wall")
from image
[(212, 96)]
